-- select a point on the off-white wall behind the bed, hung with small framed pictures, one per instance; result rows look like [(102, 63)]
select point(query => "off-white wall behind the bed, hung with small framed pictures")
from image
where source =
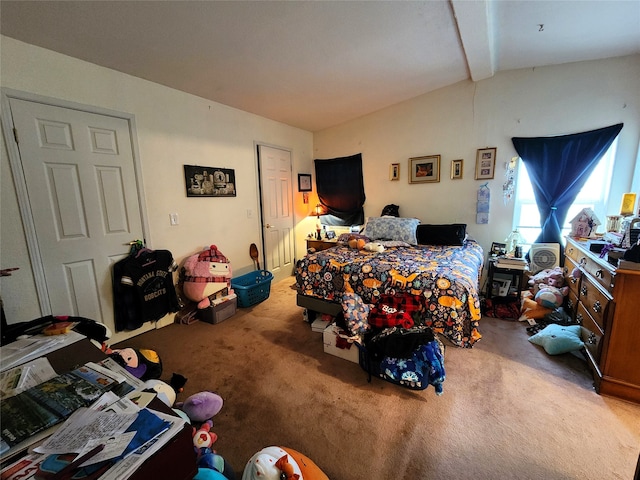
[(455, 121)]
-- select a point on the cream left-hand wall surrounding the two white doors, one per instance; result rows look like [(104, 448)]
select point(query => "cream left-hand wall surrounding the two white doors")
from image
[(173, 129)]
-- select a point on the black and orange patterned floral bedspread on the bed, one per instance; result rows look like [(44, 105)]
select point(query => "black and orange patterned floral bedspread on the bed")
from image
[(445, 277)]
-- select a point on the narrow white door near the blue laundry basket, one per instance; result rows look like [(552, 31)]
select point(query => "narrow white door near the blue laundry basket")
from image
[(277, 211)]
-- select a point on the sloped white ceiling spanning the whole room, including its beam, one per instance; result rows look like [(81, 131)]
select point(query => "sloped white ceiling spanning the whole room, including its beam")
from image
[(317, 64)]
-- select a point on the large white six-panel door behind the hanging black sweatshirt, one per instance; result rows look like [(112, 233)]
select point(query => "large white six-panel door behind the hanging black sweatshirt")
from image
[(81, 186)]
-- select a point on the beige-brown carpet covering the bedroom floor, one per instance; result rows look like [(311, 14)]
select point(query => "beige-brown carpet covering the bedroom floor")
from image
[(509, 410)]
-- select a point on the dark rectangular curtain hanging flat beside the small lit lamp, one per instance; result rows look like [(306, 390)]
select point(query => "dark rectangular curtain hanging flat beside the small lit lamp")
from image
[(341, 190)]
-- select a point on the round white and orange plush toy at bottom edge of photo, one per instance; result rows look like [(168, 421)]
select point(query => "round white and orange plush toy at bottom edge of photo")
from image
[(281, 463)]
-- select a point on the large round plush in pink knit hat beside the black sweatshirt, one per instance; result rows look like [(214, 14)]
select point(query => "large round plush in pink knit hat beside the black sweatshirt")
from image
[(205, 274)]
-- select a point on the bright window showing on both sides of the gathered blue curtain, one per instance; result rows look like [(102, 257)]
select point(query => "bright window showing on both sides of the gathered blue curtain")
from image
[(594, 195)]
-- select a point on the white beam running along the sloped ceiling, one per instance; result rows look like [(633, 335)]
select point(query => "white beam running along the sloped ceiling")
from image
[(475, 27)]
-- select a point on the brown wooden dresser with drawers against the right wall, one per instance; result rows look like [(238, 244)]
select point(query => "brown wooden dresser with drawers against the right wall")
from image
[(605, 301)]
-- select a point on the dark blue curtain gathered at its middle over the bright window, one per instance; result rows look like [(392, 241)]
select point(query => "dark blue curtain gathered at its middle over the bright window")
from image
[(558, 168)]
